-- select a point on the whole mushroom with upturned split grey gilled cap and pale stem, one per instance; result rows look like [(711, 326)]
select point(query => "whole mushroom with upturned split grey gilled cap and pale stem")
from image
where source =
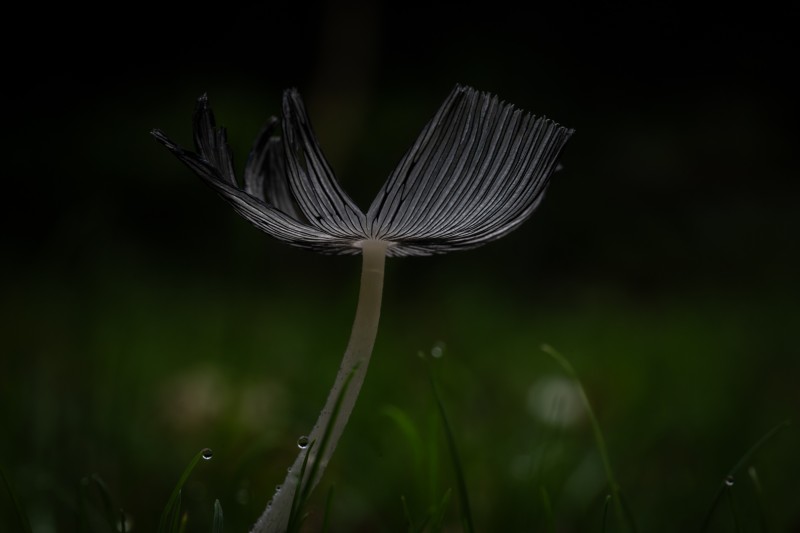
[(477, 171)]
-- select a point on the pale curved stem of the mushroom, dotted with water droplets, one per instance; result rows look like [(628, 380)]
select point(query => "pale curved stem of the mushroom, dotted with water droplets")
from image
[(351, 374)]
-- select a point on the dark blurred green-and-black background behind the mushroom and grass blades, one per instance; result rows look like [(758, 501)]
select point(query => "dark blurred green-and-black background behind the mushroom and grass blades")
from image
[(142, 320)]
